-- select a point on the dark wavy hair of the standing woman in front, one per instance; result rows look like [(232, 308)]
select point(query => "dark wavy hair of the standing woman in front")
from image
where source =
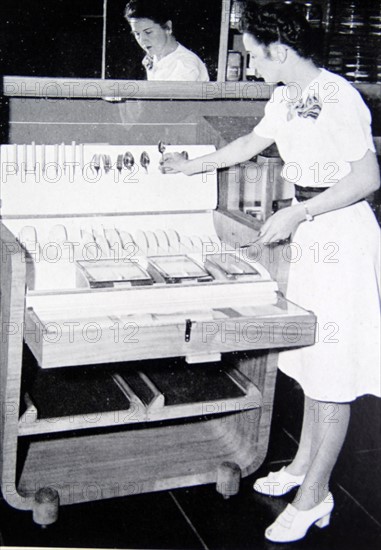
[(281, 22)]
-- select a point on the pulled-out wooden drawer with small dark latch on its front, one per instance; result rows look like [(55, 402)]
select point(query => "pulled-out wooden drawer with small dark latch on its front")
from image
[(58, 341)]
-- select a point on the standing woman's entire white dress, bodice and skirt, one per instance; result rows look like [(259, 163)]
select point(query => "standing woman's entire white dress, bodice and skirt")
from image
[(335, 266)]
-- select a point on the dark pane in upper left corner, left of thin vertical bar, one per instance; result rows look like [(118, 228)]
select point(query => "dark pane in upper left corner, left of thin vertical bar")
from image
[(51, 38)]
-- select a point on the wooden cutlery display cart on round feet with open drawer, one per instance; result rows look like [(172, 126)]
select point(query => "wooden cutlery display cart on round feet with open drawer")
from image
[(130, 389)]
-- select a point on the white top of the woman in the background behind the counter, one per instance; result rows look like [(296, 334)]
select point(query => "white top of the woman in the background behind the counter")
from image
[(181, 64)]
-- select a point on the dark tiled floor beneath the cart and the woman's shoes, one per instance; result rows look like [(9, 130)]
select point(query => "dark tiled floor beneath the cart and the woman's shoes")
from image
[(199, 518)]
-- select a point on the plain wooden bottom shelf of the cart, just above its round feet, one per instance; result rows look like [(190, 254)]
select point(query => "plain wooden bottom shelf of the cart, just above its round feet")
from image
[(138, 459)]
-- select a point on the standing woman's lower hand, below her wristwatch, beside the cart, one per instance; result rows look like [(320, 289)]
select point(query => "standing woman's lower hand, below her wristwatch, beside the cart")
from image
[(281, 225)]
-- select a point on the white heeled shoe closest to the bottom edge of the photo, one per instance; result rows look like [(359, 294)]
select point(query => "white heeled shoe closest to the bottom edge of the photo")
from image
[(293, 524)]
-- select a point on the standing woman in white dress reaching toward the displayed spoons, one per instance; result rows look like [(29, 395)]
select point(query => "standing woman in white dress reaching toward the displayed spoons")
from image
[(322, 129)]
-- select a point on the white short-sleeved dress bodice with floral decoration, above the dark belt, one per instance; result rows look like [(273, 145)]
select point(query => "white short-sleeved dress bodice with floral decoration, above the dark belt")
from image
[(319, 134)]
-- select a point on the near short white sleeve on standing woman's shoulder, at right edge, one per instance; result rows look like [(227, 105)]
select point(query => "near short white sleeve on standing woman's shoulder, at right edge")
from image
[(346, 121)]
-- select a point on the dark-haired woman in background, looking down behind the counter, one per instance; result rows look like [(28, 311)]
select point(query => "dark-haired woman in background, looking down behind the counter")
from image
[(165, 58)]
